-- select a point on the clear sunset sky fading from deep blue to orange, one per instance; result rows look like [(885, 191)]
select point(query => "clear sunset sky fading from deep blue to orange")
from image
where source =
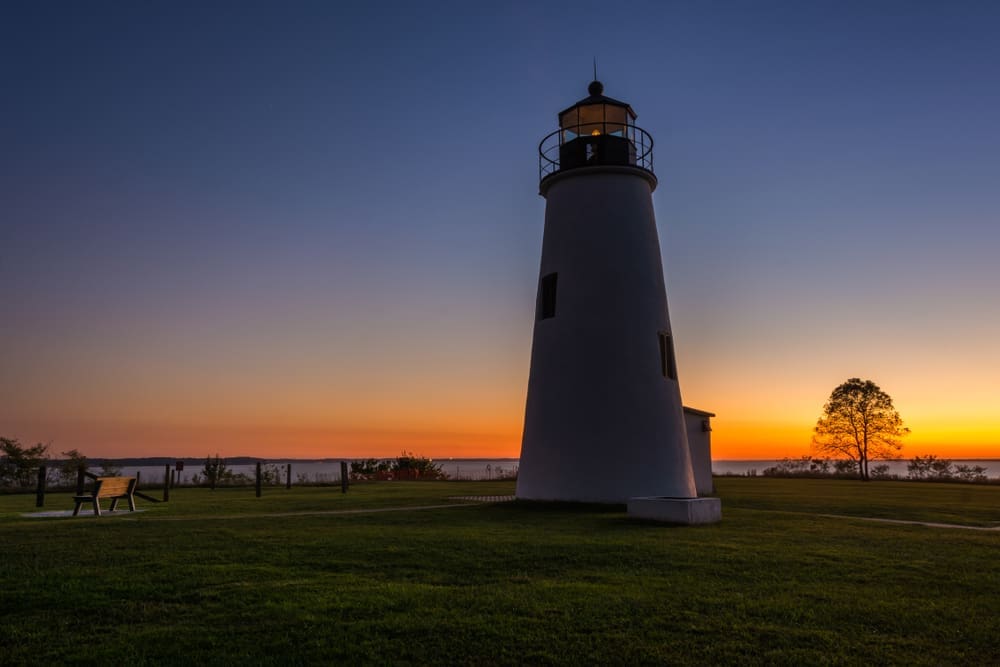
[(313, 229)]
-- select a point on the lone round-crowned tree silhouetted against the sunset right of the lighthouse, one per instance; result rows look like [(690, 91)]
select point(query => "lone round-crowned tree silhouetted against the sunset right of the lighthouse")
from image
[(859, 423)]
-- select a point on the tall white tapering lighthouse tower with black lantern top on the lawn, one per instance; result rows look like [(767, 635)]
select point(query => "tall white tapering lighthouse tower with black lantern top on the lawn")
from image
[(604, 420)]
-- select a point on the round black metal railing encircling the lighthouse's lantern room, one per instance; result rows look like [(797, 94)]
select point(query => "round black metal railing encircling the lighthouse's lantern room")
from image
[(586, 145)]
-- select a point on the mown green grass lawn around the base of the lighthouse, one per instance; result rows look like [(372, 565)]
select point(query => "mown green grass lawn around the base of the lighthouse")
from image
[(215, 577)]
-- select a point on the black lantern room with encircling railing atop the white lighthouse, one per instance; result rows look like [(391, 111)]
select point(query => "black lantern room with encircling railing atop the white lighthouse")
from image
[(596, 131)]
